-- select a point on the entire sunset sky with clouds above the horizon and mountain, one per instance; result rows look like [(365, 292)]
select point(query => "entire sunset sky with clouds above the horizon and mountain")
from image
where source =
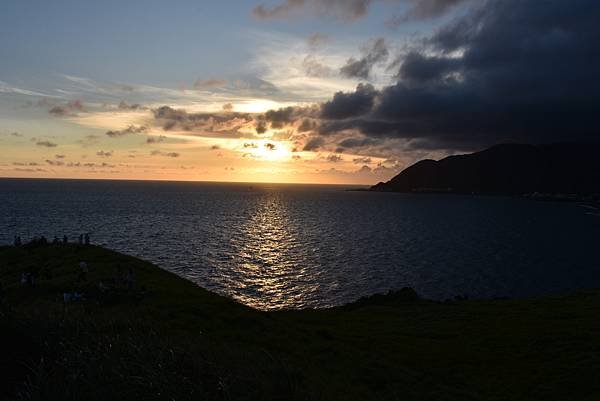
[(306, 91)]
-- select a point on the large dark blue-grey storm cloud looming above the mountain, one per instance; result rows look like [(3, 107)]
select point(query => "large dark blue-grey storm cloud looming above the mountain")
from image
[(505, 71)]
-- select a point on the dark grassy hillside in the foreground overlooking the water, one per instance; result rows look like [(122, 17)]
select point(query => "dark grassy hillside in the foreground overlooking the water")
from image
[(163, 338)]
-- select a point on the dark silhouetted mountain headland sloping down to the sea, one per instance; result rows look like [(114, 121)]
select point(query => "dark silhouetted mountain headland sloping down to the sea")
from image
[(565, 168)]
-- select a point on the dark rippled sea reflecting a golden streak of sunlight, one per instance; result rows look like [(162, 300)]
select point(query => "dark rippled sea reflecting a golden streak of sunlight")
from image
[(294, 246)]
